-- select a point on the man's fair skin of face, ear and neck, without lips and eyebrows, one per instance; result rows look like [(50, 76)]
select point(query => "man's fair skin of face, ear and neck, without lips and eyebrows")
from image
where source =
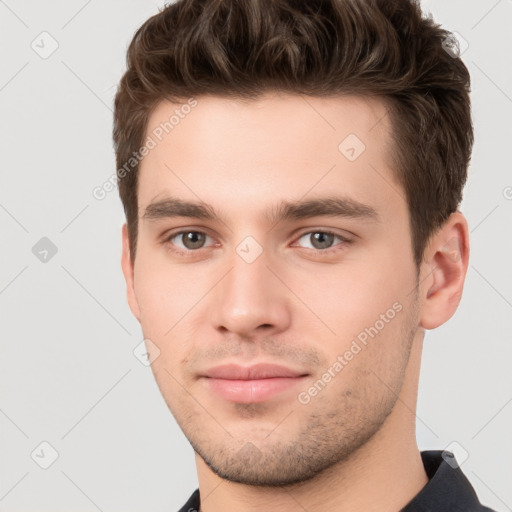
[(296, 304)]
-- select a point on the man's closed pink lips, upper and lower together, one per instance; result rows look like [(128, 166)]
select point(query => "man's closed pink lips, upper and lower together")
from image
[(253, 384)]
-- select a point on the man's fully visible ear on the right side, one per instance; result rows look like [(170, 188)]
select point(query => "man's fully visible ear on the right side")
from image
[(444, 267)]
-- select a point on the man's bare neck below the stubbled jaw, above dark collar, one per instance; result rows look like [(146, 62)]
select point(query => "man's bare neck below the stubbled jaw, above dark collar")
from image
[(383, 475)]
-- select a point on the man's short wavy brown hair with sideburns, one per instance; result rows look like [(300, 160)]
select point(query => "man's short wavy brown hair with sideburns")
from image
[(383, 48)]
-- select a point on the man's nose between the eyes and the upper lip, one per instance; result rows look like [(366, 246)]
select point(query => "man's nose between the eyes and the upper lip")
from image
[(251, 300)]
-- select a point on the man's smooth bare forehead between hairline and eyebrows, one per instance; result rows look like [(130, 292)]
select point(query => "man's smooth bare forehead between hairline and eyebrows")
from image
[(234, 152)]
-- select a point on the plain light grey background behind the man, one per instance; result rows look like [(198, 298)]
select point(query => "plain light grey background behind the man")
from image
[(69, 375)]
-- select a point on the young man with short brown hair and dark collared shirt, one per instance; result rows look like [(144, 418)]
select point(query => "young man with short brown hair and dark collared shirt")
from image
[(290, 174)]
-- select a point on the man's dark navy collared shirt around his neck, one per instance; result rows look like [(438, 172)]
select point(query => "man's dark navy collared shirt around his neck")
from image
[(447, 490)]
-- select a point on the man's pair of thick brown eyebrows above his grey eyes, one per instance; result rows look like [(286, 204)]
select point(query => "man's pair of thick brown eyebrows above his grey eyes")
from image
[(285, 210)]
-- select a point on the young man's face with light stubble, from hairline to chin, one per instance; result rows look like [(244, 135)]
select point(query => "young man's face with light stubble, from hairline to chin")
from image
[(332, 298)]
